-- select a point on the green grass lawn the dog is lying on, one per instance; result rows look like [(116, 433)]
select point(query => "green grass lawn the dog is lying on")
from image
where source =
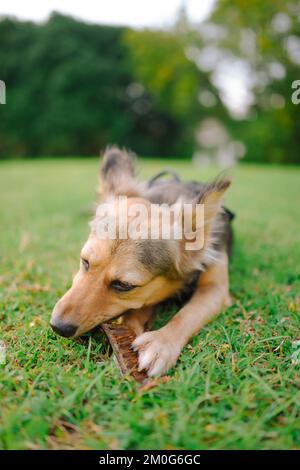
[(237, 384)]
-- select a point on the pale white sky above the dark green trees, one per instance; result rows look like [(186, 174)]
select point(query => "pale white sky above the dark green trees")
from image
[(137, 13)]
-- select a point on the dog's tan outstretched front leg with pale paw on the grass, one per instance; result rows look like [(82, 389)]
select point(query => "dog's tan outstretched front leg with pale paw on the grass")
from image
[(159, 350)]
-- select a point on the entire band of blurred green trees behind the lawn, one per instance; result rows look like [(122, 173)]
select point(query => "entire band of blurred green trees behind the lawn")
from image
[(72, 87)]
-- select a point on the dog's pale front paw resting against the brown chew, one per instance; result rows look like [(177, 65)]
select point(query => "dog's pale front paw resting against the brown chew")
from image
[(156, 352)]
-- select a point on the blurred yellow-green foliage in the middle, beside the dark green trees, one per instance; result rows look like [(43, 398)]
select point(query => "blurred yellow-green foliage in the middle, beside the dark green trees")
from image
[(171, 81)]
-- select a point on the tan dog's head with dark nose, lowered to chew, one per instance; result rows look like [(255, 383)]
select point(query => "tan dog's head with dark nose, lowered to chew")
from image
[(121, 273)]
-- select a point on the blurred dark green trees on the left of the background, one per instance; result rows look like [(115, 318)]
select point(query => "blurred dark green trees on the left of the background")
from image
[(72, 89)]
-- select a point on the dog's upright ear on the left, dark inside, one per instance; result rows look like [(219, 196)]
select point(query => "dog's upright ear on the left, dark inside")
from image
[(117, 175)]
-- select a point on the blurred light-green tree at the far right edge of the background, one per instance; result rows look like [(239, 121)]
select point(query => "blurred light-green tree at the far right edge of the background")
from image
[(265, 36)]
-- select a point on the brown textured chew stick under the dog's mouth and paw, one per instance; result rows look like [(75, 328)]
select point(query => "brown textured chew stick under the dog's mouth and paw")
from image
[(121, 338)]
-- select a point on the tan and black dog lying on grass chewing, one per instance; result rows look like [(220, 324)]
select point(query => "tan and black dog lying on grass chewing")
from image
[(130, 277)]
